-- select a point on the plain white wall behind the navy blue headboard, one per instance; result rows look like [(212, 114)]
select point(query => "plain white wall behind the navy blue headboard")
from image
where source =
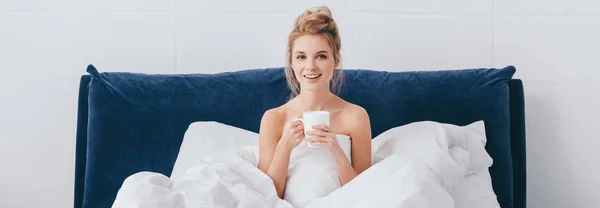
[(46, 45)]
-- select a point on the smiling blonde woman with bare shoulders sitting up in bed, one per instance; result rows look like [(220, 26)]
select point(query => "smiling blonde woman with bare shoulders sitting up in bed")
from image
[(313, 56)]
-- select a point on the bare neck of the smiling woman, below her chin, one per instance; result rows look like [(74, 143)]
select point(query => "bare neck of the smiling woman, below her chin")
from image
[(314, 101)]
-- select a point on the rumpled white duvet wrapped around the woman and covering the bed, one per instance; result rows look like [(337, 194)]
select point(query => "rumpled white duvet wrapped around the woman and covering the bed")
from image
[(414, 165)]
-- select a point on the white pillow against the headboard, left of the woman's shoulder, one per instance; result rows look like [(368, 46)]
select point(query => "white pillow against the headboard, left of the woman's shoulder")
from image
[(204, 138)]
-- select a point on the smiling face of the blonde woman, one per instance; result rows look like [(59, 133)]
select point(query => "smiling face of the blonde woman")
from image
[(313, 62)]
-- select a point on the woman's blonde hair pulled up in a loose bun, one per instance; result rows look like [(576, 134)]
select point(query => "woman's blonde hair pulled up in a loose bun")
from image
[(315, 21)]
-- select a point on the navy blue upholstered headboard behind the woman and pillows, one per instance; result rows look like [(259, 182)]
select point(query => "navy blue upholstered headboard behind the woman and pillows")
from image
[(131, 122)]
